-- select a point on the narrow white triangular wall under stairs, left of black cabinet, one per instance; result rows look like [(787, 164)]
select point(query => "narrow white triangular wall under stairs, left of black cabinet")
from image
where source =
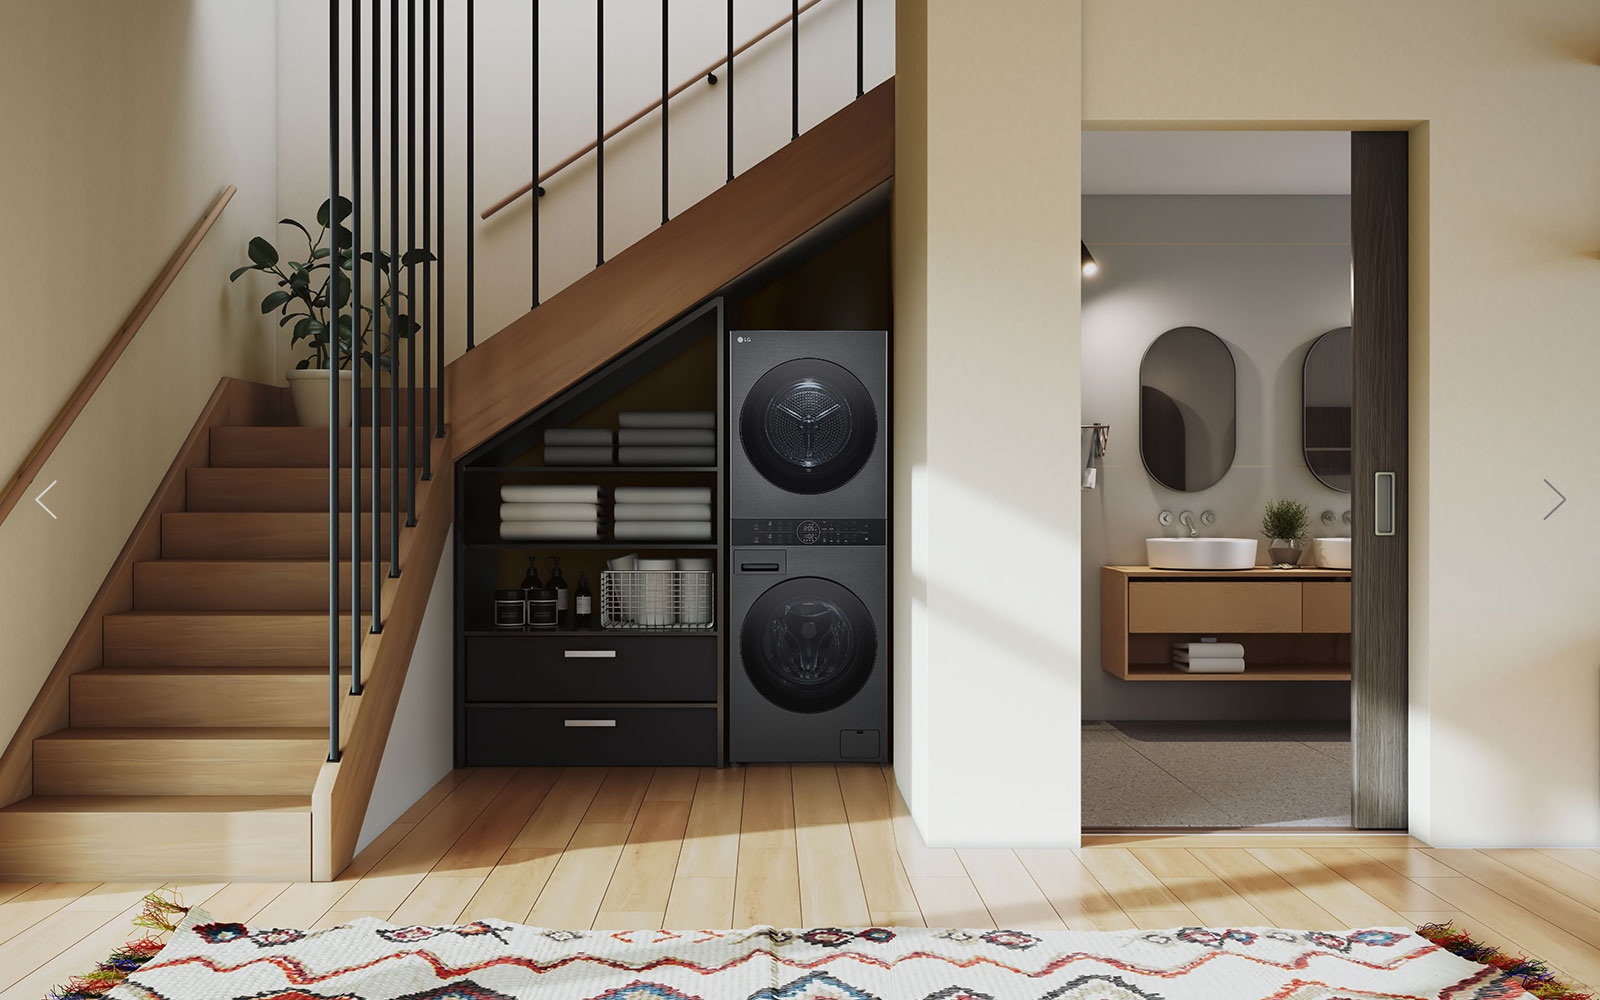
[(422, 738)]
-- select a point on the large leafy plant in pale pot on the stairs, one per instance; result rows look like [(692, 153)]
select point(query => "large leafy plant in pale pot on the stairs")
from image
[(306, 290)]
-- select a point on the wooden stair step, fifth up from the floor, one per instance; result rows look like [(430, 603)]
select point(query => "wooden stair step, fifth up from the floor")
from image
[(263, 585)]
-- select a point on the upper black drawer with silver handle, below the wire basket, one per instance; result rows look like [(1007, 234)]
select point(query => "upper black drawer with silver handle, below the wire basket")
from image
[(593, 668)]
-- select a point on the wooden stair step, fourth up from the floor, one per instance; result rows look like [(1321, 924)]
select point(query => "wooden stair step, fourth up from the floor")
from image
[(178, 639)]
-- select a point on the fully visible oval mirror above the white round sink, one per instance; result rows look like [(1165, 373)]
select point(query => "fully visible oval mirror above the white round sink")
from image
[(1186, 409)]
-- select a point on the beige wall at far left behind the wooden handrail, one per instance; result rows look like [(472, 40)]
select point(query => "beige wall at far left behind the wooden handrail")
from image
[(122, 122)]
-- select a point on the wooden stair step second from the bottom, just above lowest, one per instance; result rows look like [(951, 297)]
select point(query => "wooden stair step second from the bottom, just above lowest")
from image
[(212, 761)]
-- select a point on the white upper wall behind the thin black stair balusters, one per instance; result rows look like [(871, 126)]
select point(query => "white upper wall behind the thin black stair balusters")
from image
[(633, 161)]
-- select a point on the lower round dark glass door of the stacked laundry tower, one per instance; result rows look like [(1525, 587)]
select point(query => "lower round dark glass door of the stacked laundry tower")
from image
[(809, 646)]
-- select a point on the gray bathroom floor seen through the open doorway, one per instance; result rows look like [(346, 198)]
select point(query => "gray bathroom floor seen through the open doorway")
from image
[(1217, 775)]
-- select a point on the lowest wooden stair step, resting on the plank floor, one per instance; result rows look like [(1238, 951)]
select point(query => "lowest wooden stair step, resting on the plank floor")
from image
[(158, 838)]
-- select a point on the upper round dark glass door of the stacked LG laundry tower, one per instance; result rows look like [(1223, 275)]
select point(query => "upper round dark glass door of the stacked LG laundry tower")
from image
[(809, 426)]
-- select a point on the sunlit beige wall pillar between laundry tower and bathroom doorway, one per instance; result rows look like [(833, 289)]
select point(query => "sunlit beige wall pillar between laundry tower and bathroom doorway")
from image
[(986, 361)]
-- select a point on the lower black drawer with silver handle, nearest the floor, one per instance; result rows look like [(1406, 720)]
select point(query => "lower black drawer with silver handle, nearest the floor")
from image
[(518, 737)]
